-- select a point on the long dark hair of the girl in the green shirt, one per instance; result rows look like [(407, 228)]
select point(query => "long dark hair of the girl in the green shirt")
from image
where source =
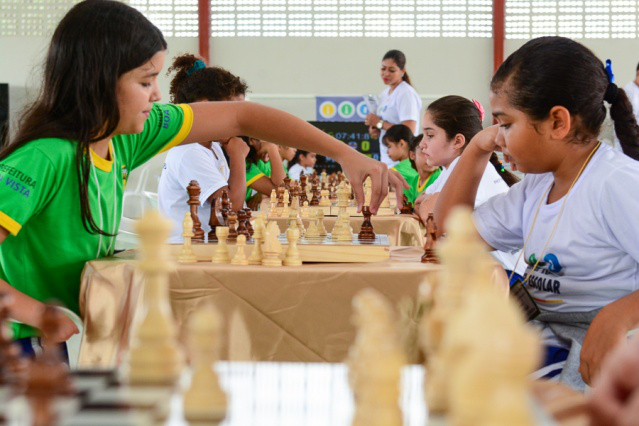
[(96, 42)]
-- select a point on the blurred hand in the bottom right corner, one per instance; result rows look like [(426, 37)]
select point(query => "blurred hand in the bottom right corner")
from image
[(615, 397)]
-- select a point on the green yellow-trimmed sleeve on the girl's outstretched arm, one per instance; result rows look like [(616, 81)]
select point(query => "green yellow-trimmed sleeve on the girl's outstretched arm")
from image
[(167, 126)]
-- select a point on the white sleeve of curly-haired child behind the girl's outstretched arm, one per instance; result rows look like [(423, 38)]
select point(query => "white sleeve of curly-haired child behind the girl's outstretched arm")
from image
[(198, 165)]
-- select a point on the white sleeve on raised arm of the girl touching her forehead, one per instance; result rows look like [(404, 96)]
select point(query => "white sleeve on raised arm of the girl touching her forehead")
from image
[(499, 220)]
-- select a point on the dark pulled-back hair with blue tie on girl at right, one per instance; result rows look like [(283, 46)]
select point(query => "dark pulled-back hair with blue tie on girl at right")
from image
[(556, 71)]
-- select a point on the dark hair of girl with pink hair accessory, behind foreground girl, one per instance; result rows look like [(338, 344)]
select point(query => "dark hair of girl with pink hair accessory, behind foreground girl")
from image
[(457, 115)]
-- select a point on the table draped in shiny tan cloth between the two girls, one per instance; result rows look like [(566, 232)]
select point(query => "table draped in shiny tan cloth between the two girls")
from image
[(271, 314)]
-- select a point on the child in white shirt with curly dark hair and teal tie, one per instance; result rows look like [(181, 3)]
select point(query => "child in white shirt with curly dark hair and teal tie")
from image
[(215, 165)]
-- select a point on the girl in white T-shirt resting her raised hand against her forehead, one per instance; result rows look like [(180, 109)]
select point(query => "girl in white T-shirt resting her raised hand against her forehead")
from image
[(575, 213)]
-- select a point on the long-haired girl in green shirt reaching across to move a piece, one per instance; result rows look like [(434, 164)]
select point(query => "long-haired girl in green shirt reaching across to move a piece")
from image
[(97, 118)]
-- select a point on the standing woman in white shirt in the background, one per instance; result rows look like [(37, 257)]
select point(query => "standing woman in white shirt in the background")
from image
[(398, 104)]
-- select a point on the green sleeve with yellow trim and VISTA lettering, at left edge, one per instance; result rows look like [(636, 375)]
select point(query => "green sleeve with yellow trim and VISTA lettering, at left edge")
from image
[(28, 181)]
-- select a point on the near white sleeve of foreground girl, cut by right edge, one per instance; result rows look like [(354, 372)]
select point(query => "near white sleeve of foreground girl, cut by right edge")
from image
[(619, 205)]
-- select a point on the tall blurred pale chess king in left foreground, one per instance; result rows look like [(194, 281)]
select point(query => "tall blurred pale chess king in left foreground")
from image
[(155, 357)]
